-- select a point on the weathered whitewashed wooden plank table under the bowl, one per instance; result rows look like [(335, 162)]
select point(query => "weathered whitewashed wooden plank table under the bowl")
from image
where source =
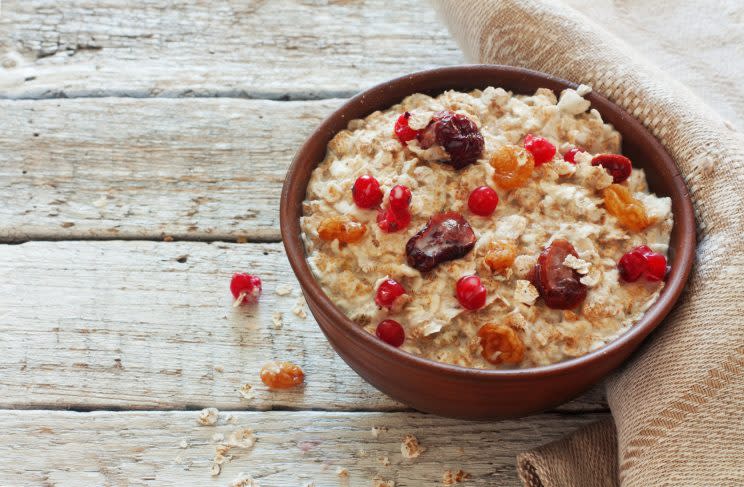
[(142, 150)]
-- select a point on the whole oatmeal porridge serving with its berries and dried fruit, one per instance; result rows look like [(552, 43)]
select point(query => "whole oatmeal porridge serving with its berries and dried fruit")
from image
[(486, 229)]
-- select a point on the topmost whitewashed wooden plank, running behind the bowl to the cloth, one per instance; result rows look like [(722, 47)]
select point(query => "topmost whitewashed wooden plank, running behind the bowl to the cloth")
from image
[(289, 49)]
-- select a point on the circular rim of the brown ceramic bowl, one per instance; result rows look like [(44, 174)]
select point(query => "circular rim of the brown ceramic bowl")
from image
[(654, 315)]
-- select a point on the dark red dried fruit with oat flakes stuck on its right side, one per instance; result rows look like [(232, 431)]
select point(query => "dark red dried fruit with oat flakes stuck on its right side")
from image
[(558, 284)]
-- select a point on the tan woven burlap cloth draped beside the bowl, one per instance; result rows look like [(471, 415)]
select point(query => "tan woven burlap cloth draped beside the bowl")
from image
[(678, 405)]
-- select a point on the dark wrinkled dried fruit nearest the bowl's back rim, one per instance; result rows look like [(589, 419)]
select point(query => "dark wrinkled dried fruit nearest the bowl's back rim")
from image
[(457, 134)]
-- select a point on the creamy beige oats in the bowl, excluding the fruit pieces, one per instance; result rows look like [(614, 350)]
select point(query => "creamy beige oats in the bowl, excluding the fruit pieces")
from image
[(559, 201)]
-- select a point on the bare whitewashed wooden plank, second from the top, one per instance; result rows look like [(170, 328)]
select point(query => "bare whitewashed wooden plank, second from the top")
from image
[(128, 168)]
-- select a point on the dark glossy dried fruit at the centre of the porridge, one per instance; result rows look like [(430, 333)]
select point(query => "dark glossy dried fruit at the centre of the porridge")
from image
[(446, 236)]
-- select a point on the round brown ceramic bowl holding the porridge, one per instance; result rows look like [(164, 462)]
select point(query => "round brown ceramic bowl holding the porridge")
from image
[(451, 390)]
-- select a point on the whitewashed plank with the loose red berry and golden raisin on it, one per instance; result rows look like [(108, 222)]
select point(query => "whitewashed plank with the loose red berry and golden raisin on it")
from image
[(149, 325)]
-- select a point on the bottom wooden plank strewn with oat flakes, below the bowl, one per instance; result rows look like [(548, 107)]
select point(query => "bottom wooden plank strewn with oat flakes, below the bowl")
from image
[(293, 448)]
